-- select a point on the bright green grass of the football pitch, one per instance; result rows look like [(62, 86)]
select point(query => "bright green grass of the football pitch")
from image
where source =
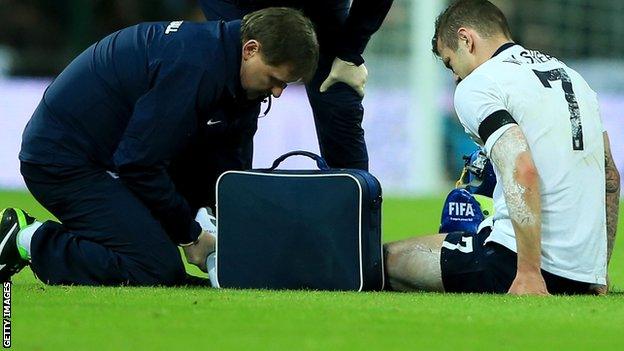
[(125, 318)]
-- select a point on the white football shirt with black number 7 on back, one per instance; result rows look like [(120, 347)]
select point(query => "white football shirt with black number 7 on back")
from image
[(558, 114)]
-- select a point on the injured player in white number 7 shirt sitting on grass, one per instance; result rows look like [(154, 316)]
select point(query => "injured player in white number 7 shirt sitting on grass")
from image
[(556, 196)]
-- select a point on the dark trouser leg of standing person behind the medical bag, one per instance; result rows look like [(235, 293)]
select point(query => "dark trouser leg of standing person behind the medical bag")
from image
[(338, 115)]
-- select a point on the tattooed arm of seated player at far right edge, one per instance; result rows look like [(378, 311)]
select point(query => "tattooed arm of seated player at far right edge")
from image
[(612, 181)]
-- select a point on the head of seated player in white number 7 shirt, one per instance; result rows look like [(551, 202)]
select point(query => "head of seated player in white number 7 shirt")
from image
[(468, 33)]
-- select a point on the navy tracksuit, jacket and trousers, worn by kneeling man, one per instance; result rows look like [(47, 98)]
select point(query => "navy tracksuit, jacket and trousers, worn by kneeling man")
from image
[(104, 149)]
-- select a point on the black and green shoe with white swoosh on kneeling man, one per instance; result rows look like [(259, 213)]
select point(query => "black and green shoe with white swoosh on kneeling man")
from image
[(12, 220)]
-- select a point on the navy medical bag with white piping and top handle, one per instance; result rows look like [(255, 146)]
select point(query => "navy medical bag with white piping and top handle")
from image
[(299, 229)]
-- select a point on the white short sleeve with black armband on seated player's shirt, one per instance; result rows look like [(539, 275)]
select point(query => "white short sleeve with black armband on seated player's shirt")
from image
[(480, 106)]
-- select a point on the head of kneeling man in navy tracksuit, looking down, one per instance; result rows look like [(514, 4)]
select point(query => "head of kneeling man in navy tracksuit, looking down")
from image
[(279, 47)]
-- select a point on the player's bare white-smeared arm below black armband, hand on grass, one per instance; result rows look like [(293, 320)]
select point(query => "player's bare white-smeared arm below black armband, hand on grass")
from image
[(520, 181)]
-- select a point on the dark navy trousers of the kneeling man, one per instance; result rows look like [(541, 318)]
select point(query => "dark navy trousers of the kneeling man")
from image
[(107, 235)]
